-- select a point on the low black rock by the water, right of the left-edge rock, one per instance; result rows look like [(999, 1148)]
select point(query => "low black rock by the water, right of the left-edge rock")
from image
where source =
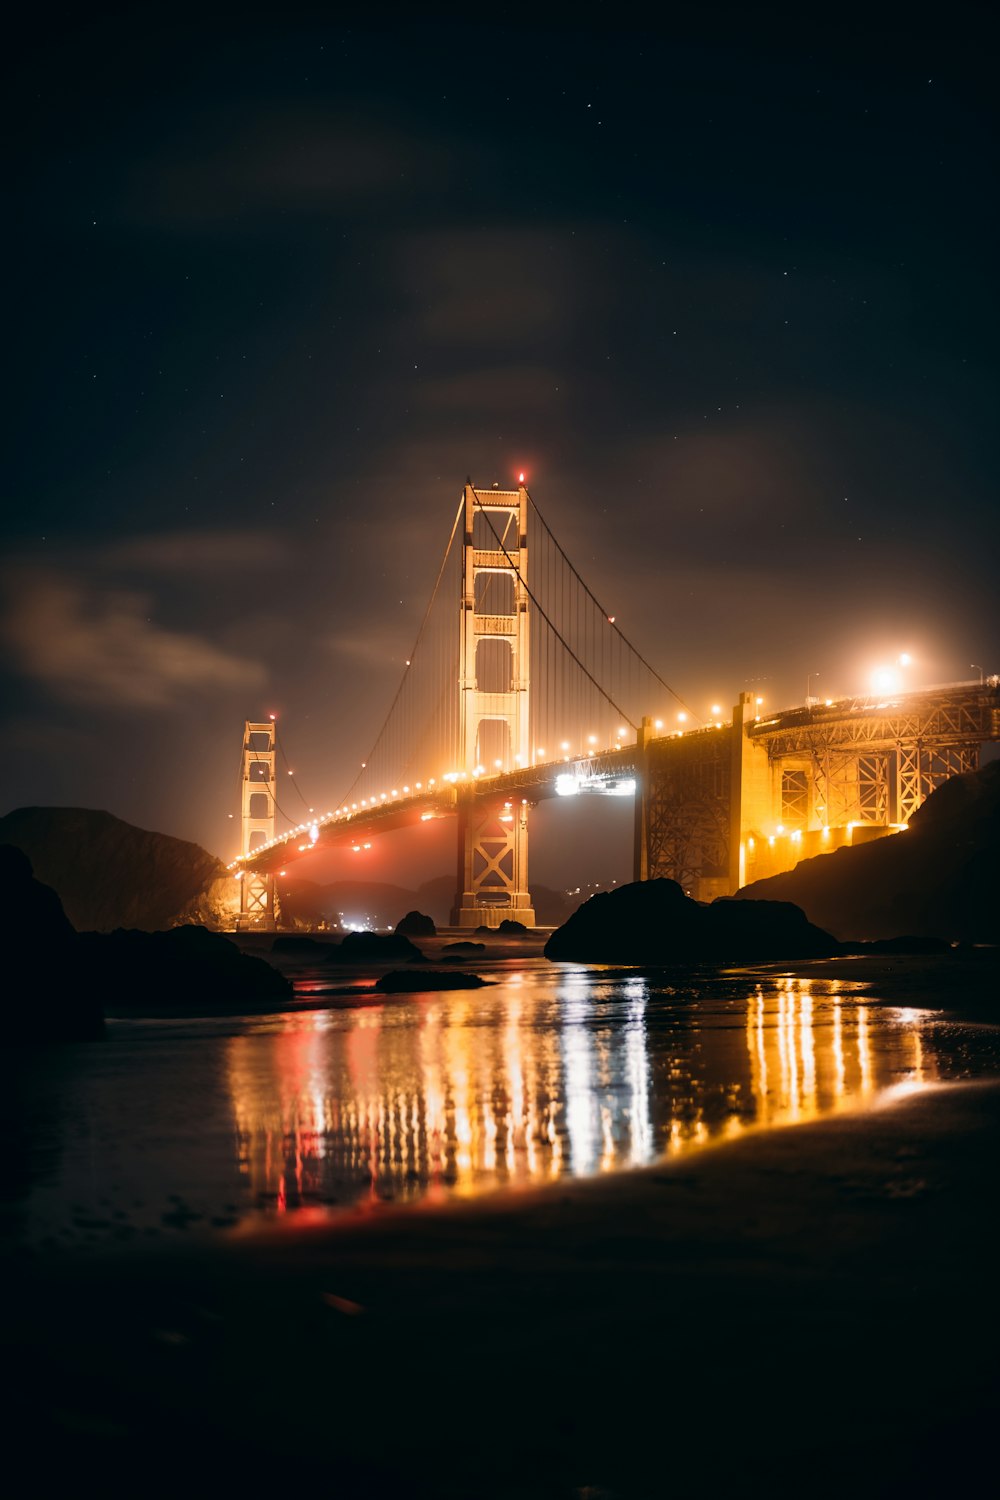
[(187, 971)]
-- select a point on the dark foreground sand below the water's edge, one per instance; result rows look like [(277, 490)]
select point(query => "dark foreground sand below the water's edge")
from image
[(807, 1313)]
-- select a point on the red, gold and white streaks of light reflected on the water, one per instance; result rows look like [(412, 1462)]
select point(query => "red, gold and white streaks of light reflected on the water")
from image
[(484, 1090)]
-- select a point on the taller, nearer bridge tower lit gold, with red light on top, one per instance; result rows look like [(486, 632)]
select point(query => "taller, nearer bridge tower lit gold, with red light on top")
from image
[(494, 688)]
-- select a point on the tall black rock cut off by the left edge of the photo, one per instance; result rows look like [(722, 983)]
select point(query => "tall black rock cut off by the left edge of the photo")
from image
[(44, 995)]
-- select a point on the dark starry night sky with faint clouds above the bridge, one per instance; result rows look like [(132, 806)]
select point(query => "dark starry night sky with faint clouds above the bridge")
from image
[(722, 287)]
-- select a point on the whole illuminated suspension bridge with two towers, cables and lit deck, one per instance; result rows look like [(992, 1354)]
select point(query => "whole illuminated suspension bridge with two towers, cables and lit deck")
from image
[(521, 686)]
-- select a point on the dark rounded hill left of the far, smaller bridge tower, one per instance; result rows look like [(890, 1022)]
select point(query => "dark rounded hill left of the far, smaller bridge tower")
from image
[(109, 874)]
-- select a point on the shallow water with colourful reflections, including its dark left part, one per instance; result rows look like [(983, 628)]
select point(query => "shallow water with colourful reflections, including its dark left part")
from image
[(173, 1129)]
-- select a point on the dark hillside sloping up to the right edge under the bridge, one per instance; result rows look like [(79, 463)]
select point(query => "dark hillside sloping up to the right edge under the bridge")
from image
[(938, 880)]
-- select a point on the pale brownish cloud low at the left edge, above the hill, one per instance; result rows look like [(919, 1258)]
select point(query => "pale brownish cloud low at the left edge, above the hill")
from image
[(86, 646)]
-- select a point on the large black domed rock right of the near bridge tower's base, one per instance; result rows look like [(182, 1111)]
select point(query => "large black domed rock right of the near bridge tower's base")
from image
[(656, 923)]
